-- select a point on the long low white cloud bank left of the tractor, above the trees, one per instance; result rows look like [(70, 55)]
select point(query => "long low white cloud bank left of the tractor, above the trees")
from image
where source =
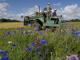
[(18, 16)]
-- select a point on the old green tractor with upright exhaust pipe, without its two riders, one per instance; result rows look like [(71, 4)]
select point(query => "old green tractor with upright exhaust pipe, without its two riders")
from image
[(40, 21)]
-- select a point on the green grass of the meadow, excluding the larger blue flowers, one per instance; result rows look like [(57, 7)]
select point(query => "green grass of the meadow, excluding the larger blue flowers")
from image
[(54, 46)]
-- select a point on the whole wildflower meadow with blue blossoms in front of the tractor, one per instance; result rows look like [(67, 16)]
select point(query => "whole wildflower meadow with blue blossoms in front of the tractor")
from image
[(27, 44)]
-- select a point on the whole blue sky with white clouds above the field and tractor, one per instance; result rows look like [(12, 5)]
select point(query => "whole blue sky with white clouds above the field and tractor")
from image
[(13, 9)]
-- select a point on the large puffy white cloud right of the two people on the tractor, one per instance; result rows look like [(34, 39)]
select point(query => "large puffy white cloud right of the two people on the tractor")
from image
[(70, 12)]
